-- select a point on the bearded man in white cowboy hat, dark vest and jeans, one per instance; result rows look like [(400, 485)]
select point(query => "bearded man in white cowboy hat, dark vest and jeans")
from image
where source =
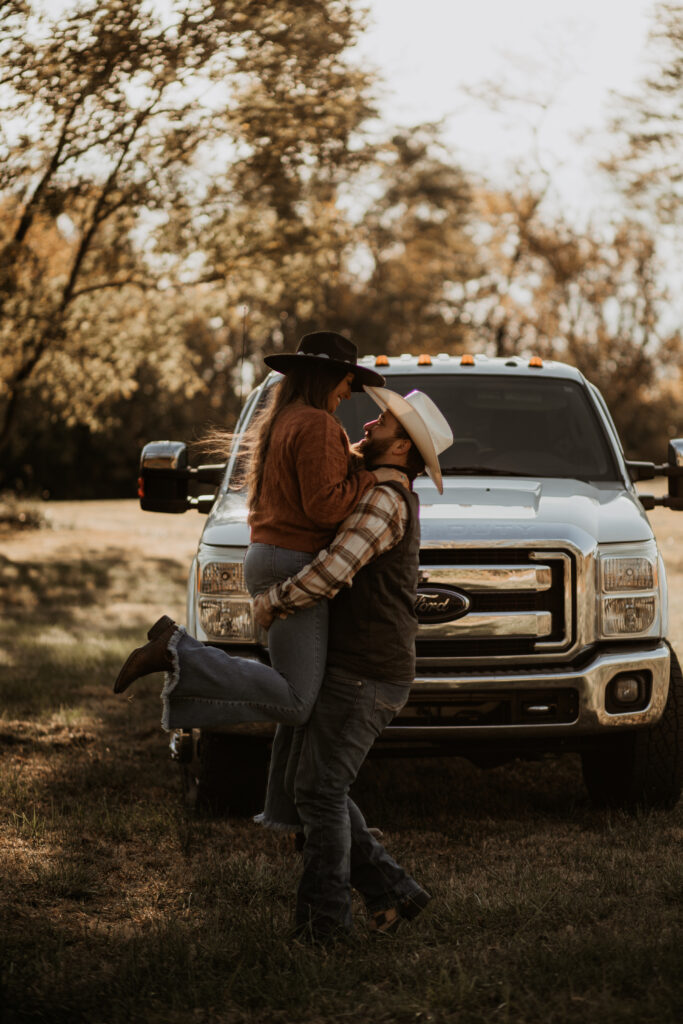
[(372, 568)]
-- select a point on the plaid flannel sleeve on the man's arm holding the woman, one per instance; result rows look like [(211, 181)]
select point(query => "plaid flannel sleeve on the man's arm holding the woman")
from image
[(376, 526)]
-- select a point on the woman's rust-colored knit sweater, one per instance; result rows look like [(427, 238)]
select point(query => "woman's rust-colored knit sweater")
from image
[(309, 483)]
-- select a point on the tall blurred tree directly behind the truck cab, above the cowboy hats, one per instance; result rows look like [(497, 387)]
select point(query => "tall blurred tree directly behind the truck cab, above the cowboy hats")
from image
[(414, 249)]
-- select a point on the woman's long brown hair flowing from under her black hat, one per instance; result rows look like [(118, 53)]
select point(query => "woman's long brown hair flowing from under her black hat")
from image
[(310, 385)]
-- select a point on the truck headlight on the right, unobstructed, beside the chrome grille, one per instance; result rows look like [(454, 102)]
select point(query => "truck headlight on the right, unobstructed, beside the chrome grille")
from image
[(629, 589)]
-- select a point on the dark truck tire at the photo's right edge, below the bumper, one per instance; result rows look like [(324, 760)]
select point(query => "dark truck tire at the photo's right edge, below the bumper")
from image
[(644, 769)]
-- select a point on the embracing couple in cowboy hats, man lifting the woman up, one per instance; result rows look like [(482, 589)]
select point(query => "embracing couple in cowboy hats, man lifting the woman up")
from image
[(333, 569)]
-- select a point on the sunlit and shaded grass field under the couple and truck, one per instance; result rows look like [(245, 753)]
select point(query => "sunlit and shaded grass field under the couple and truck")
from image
[(117, 906)]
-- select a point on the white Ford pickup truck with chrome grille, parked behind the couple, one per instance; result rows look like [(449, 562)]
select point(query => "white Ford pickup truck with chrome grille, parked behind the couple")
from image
[(542, 596)]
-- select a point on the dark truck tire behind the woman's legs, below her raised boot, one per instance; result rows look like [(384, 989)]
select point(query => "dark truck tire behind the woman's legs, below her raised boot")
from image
[(227, 776)]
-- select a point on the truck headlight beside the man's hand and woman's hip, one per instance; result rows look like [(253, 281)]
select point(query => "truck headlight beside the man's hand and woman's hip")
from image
[(224, 606)]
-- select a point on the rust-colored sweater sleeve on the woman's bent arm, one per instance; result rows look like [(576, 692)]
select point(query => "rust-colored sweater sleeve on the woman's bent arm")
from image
[(330, 490)]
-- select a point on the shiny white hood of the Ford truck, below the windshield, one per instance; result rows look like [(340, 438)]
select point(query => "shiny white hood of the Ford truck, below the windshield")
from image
[(486, 509)]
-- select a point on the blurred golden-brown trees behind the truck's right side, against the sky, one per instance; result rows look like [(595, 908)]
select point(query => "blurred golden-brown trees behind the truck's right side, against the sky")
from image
[(595, 298)]
